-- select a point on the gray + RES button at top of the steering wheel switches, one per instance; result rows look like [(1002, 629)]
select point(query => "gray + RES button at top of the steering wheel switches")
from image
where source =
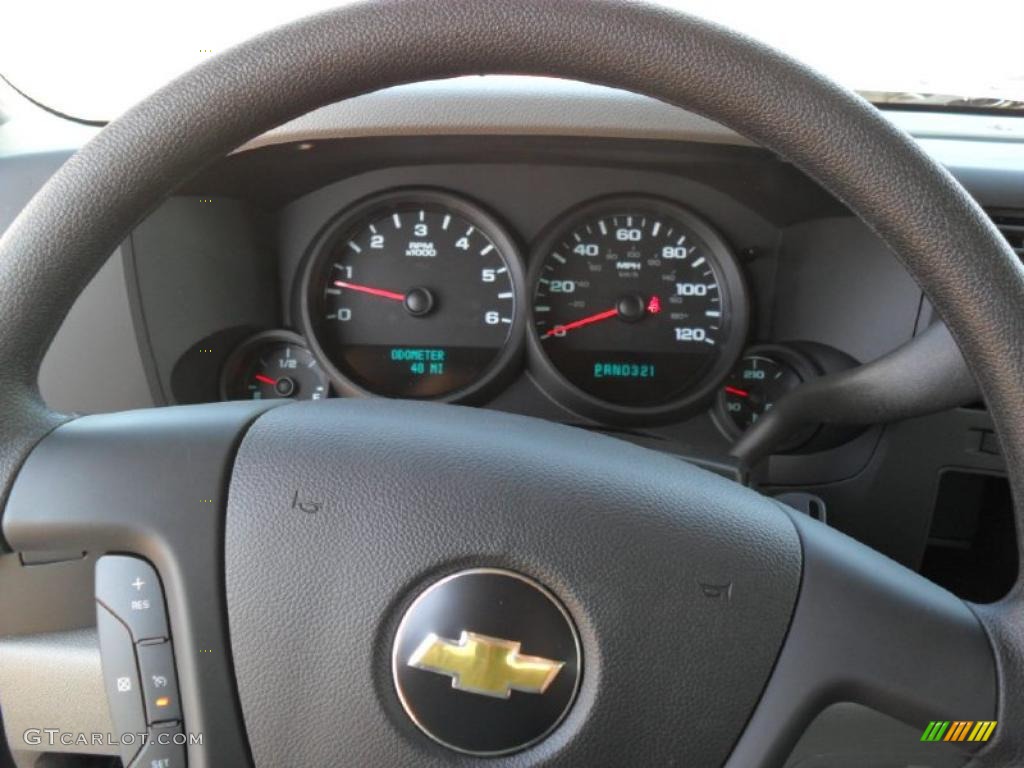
[(130, 587)]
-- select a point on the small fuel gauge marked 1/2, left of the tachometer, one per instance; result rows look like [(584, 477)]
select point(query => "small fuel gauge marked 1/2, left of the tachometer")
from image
[(275, 365)]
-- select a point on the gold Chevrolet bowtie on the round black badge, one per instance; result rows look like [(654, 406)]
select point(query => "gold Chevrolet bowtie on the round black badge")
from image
[(488, 666)]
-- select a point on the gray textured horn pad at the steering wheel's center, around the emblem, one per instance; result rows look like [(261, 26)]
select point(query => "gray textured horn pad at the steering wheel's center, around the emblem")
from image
[(344, 515)]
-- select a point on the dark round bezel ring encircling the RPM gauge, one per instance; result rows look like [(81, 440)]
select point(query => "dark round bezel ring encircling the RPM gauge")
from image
[(340, 226)]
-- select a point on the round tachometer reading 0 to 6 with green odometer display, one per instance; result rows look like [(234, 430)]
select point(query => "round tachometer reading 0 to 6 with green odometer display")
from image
[(414, 294)]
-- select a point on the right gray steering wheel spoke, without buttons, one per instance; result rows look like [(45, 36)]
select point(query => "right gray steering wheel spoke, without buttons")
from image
[(869, 631)]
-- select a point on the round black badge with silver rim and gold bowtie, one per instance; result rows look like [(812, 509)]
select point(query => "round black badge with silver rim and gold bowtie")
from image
[(487, 662)]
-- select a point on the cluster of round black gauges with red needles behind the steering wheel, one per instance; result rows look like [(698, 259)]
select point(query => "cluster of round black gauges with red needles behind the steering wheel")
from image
[(627, 310)]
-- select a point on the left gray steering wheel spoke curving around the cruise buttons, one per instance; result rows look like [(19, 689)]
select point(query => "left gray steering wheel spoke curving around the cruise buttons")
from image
[(151, 485)]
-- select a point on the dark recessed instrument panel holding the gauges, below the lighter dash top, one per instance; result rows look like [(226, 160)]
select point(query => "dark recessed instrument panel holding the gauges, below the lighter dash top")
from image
[(609, 291)]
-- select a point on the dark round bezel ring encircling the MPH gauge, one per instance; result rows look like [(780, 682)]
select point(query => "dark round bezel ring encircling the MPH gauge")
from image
[(735, 304)]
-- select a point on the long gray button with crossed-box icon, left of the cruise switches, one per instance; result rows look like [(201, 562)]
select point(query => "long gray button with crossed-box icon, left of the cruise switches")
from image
[(117, 656)]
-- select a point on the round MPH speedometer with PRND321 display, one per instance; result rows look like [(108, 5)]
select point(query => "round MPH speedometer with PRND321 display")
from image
[(639, 310)]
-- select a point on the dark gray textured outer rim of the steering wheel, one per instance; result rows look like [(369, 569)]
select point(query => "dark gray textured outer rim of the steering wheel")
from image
[(946, 241)]
